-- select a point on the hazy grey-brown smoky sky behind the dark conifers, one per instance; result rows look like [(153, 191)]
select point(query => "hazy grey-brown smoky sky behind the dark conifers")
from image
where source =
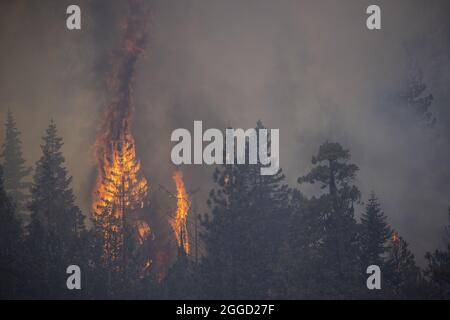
[(308, 68)]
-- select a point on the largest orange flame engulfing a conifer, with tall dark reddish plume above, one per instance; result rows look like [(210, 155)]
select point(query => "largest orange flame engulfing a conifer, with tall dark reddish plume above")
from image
[(120, 187)]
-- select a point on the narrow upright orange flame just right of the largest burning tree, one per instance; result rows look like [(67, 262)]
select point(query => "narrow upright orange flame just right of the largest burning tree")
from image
[(179, 222)]
